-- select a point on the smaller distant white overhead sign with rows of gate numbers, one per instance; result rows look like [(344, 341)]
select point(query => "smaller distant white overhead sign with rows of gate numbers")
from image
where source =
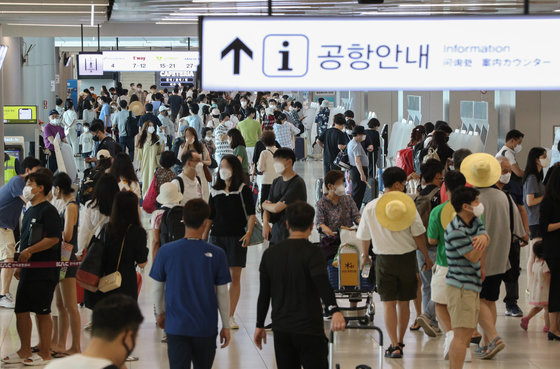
[(150, 61)]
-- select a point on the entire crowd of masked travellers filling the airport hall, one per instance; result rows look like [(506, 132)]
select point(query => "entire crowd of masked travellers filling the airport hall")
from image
[(216, 174)]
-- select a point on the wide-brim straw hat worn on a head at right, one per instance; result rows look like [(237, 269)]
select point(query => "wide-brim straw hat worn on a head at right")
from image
[(481, 170)]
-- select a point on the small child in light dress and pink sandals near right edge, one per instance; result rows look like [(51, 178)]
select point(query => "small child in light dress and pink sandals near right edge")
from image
[(540, 285)]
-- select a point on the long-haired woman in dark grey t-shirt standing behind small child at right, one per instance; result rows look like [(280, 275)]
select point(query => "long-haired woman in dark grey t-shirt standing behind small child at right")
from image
[(533, 195)]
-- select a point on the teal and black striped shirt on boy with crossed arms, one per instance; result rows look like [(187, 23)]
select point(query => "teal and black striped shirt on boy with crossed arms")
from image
[(462, 273)]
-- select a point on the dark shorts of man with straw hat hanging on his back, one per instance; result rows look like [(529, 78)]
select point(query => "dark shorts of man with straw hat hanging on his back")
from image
[(396, 276)]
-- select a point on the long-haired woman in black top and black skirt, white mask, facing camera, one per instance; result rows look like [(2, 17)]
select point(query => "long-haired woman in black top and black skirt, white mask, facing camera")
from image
[(232, 210)]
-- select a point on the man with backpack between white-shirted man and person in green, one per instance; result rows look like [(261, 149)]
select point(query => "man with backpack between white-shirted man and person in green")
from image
[(428, 198)]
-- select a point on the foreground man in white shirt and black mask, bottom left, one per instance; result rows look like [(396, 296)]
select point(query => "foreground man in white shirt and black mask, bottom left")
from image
[(115, 323)]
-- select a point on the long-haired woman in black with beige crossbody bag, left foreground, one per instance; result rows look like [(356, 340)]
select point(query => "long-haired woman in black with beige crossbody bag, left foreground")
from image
[(125, 239)]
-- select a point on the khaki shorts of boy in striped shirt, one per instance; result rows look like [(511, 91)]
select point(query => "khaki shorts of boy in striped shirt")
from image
[(463, 307)]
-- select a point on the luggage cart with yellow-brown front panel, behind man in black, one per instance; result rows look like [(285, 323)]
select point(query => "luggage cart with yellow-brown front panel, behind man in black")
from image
[(350, 287)]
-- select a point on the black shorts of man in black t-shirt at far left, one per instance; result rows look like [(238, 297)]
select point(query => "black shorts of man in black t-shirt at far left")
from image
[(35, 297)]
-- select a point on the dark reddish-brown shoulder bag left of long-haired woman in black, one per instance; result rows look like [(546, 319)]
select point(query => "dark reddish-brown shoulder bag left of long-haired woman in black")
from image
[(90, 269)]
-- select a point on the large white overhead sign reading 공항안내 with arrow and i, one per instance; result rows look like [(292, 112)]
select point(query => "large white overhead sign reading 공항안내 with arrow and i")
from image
[(460, 53)]
